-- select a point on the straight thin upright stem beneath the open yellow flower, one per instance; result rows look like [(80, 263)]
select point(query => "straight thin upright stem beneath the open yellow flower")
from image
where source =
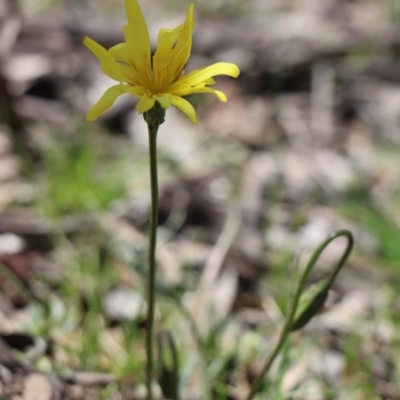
[(153, 129)]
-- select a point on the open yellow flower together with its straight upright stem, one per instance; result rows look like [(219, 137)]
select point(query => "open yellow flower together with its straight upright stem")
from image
[(159, 81)]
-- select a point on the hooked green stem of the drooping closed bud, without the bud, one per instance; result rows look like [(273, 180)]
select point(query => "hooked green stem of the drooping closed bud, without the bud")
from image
[(286, 329)]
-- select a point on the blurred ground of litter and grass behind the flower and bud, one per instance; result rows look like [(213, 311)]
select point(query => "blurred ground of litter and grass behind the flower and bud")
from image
[(308, 143)]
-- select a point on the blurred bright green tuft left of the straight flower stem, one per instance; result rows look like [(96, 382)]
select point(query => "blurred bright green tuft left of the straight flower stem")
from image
[(75, 181)]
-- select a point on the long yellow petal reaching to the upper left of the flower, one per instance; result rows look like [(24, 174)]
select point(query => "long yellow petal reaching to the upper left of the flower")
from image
[(109, 66)]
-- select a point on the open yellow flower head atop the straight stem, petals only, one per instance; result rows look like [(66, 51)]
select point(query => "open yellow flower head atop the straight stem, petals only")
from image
[(159, 78)]
